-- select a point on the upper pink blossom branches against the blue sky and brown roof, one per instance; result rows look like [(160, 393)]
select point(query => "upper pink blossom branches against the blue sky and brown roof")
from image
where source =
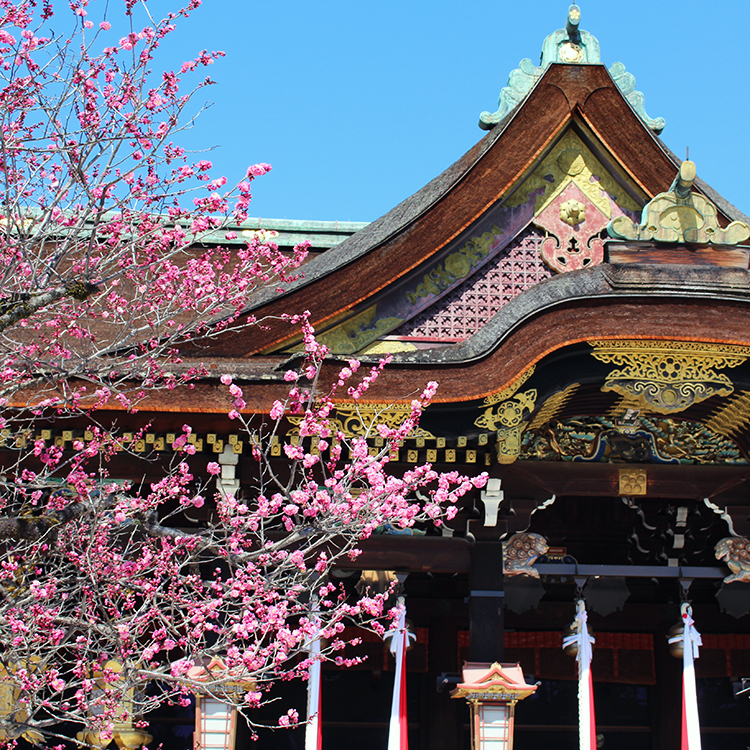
[(103, 276)]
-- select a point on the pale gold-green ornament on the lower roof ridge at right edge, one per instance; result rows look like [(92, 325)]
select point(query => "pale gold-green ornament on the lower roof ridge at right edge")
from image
[(680, 215)]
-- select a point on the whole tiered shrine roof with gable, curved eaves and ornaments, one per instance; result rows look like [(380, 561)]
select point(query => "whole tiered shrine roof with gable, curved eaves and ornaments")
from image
[(580, 295)]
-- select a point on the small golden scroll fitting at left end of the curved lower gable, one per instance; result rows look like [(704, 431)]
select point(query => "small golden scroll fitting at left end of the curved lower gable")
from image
[(509, 418)]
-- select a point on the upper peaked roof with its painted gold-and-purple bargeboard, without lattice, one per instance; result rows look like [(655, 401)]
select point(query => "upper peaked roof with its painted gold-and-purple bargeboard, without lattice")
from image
[(574, 128)]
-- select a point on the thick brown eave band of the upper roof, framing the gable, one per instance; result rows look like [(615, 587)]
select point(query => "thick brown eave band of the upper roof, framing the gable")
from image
[(410, 234)]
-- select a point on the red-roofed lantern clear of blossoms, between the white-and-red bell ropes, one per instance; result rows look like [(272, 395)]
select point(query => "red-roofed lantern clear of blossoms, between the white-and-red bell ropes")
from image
[(492, 691)]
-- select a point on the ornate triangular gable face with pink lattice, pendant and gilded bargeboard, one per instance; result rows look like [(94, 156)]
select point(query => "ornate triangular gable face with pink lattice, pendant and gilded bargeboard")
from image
[(550, 222)]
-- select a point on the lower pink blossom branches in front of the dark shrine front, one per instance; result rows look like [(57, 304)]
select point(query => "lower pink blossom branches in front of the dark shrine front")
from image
[(112, 576)]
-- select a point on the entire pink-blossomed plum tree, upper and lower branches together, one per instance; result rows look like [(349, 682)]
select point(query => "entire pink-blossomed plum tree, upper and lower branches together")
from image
[(120, 595)]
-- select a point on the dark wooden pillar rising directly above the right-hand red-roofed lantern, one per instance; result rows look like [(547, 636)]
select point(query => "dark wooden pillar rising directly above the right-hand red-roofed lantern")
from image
[(486, 602)]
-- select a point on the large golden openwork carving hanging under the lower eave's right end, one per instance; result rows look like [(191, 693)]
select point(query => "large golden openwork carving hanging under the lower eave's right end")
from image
[(665, 377)]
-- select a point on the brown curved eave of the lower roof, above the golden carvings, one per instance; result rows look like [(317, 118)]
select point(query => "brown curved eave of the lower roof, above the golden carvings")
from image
[(481, 368)]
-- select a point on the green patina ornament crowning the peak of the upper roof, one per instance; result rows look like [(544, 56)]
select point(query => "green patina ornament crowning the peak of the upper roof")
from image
[(572, 46)]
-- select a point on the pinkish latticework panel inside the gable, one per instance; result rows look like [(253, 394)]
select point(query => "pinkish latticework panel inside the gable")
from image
[(466, 309)]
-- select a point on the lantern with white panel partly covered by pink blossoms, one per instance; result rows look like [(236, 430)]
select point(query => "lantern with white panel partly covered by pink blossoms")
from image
[(215, 718)]
